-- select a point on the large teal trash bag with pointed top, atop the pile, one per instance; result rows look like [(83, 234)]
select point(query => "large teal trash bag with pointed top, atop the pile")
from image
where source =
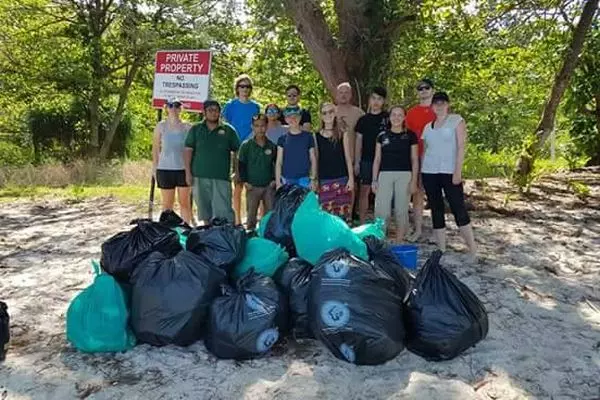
[(316, 232)]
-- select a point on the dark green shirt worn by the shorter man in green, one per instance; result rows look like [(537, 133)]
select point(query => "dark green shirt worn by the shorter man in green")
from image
[(259, 162)]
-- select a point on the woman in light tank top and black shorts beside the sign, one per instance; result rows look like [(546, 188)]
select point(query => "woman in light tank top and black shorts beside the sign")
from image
[(167, 160)]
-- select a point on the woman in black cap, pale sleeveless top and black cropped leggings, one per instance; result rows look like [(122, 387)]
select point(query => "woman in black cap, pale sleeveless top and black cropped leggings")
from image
[(445, 140)]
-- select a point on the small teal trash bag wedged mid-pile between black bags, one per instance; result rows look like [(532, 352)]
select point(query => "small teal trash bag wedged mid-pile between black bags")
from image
[(265, 256)]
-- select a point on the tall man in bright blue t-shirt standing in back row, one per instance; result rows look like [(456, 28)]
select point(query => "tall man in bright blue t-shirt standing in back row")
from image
[(239, 112)]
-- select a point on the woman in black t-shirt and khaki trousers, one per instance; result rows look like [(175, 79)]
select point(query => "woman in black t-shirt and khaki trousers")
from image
[(395, 171)]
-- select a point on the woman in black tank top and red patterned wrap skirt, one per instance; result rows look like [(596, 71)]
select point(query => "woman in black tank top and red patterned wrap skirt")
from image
[(334, 159)]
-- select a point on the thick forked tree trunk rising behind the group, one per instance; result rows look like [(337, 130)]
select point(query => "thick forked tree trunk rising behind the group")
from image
[(360, 53)]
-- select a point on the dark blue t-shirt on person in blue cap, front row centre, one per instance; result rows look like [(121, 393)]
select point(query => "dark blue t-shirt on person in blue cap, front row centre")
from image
[(296, 154)]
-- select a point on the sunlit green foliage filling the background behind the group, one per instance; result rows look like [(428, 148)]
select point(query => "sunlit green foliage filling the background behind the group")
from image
[(497, 60)]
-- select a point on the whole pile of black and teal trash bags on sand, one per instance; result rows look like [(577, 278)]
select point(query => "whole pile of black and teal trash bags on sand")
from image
[(304, 274)]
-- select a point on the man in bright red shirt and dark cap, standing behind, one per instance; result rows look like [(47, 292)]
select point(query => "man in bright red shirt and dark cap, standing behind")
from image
[(417, 118)]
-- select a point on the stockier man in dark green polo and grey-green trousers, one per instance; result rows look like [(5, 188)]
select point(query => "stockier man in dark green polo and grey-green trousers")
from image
[(208, 153)]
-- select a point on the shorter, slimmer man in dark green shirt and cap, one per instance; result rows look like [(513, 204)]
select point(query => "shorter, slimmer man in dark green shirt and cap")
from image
[(257, 169)]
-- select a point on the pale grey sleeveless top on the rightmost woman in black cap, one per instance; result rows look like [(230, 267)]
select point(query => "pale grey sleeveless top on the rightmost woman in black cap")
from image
[(440, 146)]
